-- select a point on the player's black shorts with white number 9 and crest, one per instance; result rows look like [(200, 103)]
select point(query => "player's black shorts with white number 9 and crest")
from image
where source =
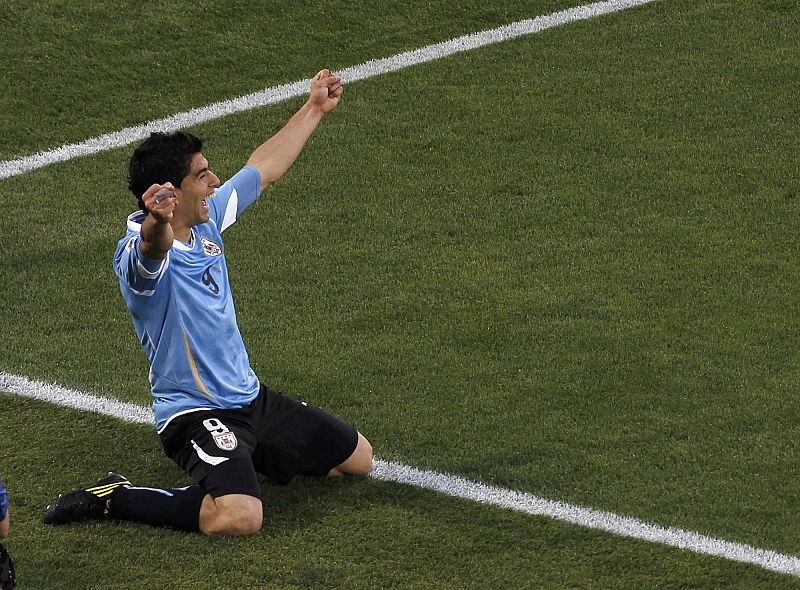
[(276, 436)]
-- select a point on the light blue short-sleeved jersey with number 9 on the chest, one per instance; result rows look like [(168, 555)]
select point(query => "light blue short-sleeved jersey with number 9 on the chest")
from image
[(183, 311)]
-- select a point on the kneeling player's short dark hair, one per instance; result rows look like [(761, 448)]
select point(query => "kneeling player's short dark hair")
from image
[(163, 157)]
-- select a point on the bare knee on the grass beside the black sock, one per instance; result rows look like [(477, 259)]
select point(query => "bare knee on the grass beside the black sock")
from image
[(233, 515)]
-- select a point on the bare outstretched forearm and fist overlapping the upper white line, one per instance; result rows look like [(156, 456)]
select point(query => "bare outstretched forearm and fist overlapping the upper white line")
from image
[(274, 157)]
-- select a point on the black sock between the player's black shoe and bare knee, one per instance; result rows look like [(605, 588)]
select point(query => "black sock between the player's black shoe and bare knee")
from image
[(177, 507)]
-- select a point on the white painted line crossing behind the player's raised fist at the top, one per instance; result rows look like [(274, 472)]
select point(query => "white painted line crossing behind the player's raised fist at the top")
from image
[(276, 94)]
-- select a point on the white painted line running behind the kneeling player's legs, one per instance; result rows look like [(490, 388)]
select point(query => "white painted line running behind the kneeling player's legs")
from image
[(456, 486)]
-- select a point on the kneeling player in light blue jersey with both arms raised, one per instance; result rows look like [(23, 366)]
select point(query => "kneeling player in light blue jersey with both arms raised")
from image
[(214, 417)]
